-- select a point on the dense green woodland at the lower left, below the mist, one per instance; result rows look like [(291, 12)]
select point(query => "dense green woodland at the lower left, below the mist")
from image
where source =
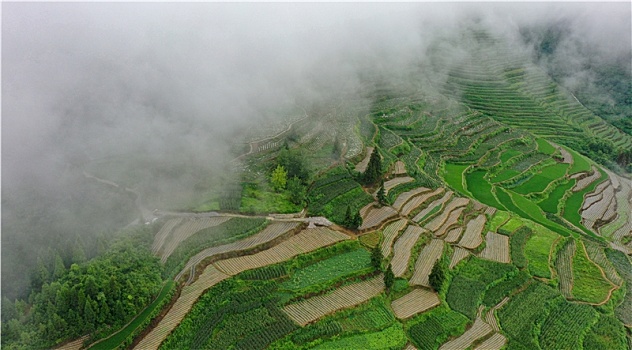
[(97, 297)]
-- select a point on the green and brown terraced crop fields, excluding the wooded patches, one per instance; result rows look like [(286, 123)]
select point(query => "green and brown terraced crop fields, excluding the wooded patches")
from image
[(485, 171)]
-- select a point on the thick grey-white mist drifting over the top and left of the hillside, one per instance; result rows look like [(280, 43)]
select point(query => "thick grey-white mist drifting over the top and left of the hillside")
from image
[(154, 96)]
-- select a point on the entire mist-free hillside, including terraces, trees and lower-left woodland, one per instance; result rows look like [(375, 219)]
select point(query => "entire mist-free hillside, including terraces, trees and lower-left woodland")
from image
[(474, 202)]
